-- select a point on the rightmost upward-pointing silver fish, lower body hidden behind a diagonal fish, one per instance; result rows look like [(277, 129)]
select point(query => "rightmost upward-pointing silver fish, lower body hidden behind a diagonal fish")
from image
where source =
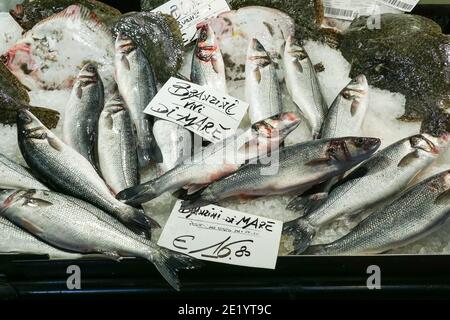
[(346, 115)]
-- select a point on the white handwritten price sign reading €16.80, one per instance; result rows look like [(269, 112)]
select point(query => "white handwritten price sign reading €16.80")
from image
[(222, 235)]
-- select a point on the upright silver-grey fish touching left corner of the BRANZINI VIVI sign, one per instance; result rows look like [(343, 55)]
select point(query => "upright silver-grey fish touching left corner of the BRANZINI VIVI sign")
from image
[(137, 85)]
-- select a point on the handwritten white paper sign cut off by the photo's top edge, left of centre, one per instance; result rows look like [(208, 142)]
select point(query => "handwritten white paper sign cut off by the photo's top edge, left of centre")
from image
[(189, 13)]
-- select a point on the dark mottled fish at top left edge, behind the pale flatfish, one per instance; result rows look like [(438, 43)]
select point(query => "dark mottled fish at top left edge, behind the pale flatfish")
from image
[(29, 13)]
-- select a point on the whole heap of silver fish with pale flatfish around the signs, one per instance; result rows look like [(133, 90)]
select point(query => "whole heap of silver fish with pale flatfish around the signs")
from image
[(82, 192)]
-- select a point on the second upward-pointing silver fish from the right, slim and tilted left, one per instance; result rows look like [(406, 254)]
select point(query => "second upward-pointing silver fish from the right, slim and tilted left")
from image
[(303, 86)]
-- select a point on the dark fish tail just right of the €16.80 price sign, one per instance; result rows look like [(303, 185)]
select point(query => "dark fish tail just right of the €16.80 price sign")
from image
[(300, 233)]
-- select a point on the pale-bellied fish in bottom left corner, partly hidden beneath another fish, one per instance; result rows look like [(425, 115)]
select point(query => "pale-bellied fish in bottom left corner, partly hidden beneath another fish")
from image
[(14, 240)]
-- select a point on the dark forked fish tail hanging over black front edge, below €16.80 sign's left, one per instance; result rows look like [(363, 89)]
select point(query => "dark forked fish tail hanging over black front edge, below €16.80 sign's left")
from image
[(170, 263)]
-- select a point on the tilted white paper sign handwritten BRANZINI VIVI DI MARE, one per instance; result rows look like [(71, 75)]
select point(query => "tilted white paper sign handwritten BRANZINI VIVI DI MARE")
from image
[(208, 113)]
